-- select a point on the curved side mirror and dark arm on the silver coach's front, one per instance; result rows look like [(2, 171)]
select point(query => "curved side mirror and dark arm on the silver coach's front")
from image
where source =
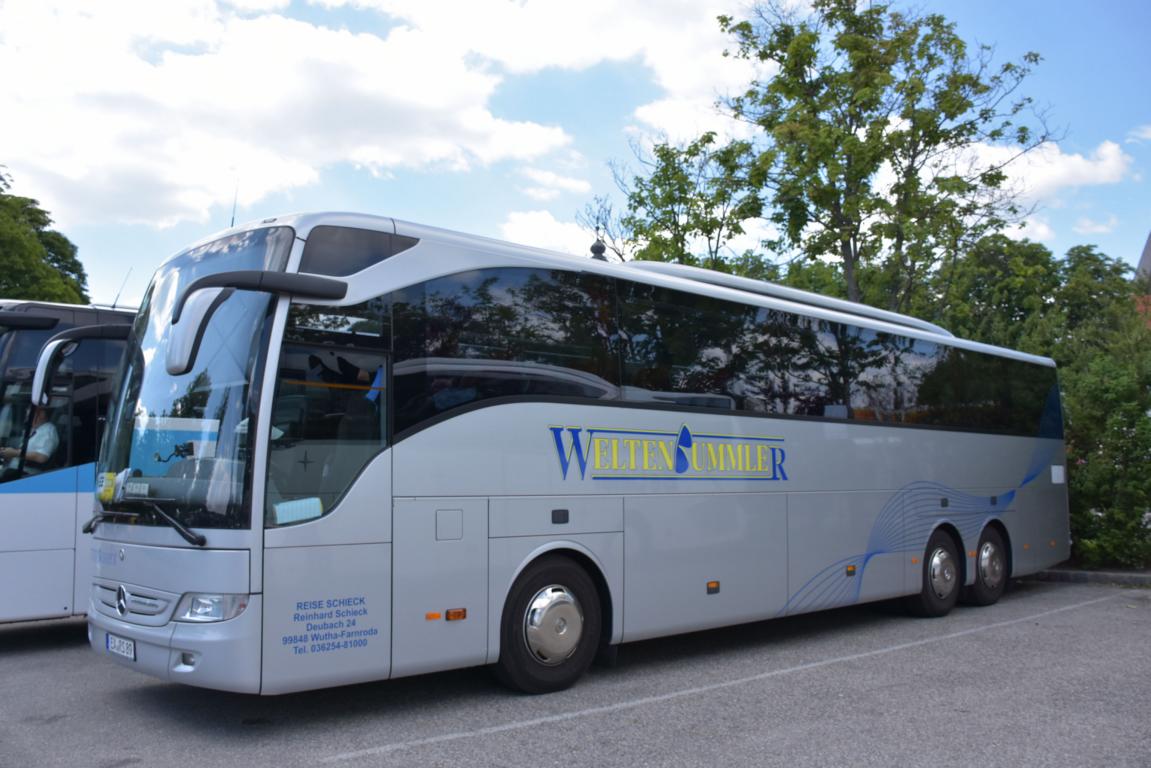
[(204, 296)]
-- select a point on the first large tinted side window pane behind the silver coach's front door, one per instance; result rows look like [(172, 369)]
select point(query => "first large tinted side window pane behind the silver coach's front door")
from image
[(502, 333)]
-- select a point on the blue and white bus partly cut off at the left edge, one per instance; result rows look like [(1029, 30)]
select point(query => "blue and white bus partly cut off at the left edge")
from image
[(48, 455)]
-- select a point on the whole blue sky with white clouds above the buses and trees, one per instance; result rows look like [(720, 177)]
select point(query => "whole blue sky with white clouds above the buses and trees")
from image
[(141, 126)]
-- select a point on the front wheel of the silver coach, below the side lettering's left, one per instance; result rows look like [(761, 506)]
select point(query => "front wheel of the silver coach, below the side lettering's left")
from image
[(551, 628)]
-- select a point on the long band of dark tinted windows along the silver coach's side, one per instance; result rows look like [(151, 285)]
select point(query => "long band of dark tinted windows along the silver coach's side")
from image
[(522, 333)]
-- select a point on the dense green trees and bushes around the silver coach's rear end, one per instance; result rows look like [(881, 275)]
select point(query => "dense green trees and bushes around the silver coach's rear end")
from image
[(1085, 311)]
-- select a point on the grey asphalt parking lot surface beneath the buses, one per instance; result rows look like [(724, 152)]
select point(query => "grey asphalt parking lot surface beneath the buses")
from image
[(1056, 674)]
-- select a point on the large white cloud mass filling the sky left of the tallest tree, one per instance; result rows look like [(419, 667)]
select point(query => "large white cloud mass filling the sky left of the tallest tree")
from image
[(148, 111)]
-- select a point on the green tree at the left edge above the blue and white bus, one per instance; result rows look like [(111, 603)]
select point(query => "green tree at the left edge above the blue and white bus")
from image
[(36, 262)]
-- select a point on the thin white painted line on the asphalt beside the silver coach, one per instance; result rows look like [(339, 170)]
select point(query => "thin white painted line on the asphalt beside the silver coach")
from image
[(687, 693)]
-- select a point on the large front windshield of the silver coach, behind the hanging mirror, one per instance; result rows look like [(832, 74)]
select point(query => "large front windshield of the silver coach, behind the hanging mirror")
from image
[(180, 445)]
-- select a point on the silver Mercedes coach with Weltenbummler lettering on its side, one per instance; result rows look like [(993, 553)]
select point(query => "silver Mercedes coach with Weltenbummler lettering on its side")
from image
[(347, 448)]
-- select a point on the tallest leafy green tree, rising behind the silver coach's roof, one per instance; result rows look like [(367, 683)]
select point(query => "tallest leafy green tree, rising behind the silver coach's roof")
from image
[(872, 130)]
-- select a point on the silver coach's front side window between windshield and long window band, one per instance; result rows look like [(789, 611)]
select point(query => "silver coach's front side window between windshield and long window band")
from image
[(330, 412)]
